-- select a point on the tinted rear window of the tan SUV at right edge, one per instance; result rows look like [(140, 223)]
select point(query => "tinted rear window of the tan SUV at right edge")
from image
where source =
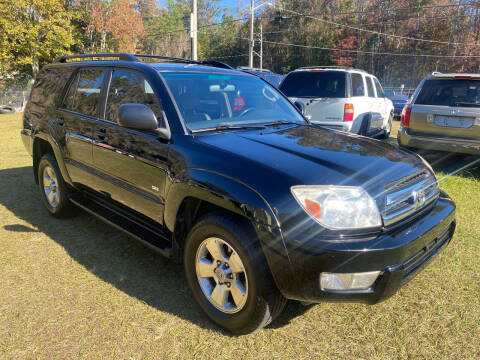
[(458, 92)]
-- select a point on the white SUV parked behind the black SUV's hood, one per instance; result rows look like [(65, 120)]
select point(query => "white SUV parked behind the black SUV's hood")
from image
[(341, 98)]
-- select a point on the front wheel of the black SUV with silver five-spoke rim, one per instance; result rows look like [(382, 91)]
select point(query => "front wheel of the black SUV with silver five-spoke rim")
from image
[(227, 272)]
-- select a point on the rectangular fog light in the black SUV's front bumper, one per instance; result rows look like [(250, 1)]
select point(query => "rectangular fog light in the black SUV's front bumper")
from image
[(351, 281)]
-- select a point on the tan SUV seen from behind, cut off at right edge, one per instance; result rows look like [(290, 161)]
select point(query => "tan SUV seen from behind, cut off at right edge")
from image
[(443, 114)]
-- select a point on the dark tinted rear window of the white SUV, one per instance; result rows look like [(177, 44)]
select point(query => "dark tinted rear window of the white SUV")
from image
[(315, 84)]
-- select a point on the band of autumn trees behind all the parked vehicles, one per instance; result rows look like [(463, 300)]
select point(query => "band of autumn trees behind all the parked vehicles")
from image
[(33, 32)]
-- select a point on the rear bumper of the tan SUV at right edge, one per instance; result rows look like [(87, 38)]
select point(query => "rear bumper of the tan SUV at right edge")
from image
[(421, 141)]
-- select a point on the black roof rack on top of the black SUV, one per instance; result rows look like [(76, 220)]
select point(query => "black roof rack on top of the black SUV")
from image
[(136, 58)]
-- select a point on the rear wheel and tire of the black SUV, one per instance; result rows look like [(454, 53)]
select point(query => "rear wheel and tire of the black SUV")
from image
[(53, 189)]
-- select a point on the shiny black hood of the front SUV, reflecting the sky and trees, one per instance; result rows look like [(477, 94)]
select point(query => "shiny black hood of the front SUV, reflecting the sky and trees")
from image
[(273, 159)]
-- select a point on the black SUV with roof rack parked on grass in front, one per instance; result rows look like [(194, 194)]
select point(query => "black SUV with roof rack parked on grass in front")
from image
[(215, 167)]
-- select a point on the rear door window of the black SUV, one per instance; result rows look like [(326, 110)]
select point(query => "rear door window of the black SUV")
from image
[(84, 93)]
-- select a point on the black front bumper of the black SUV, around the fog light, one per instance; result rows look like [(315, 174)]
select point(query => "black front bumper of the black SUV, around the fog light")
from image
[(398, 253)]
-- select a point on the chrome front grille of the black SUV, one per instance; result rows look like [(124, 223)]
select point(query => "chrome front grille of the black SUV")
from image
[(408, 195)]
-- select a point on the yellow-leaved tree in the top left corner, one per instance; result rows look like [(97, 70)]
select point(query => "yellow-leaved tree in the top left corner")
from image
[(33, 32)]
